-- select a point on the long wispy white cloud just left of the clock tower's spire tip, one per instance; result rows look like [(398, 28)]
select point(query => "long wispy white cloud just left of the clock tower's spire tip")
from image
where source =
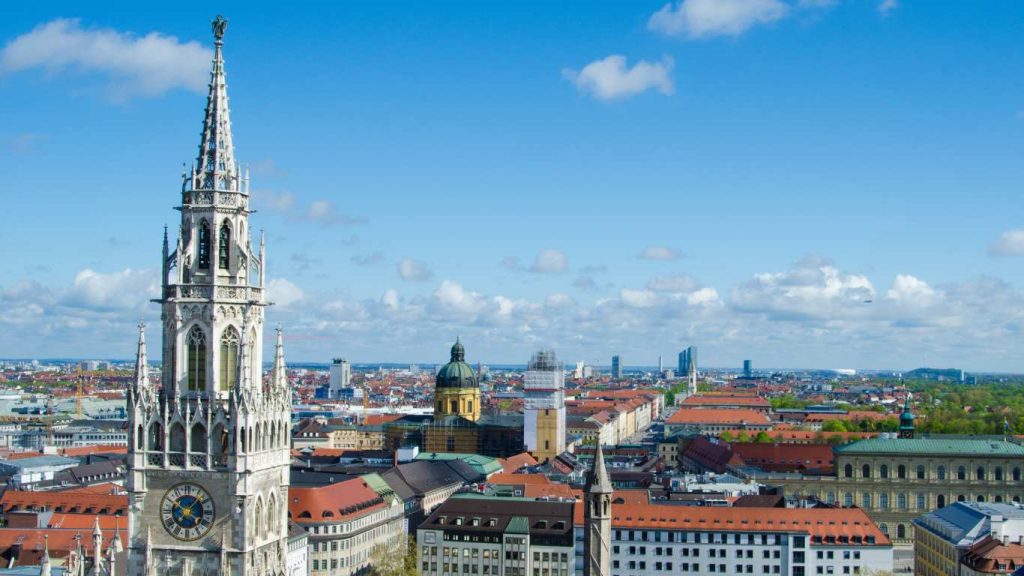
[(134, 66)]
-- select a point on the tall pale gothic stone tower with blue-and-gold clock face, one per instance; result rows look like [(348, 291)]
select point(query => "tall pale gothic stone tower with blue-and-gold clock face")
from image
[(208, 460)]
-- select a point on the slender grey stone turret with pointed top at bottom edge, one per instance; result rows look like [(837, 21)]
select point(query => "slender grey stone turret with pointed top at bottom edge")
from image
[(598, 520)]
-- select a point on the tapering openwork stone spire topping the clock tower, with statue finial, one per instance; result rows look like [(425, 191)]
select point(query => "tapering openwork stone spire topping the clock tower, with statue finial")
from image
[(216, 168)]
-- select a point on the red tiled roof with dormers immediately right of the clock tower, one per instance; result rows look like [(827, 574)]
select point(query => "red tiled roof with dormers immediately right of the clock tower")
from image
[(333, 503)]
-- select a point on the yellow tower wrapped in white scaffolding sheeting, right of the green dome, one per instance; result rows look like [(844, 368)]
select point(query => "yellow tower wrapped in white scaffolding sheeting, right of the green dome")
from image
[(544, 406)]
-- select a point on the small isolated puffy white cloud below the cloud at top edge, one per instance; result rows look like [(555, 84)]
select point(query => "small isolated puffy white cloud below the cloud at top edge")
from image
[(612, 78)]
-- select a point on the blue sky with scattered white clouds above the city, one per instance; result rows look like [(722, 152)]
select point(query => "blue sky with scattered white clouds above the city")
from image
[(626, 178)]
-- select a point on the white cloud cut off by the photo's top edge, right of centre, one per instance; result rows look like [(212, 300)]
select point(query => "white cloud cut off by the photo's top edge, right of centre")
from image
[(703, 19)]
